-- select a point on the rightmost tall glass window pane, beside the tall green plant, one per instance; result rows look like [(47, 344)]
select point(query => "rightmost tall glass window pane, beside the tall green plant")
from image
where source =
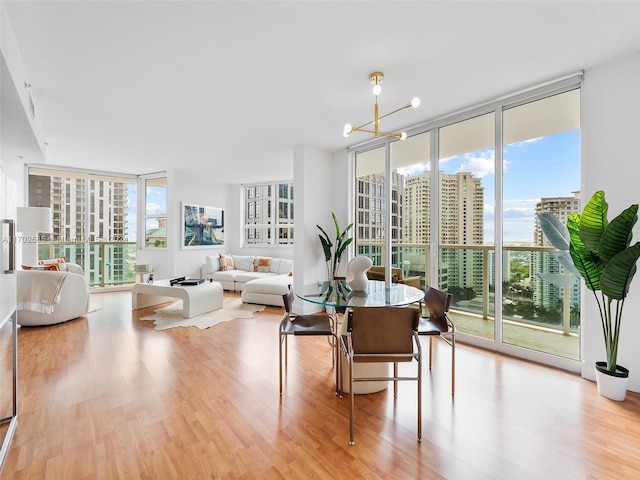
[(541, 158)]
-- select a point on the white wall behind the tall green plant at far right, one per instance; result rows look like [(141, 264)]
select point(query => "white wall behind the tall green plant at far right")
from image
[(610, 145)]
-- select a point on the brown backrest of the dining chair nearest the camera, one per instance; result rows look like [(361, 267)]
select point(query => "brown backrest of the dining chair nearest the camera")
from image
[(382, 330)]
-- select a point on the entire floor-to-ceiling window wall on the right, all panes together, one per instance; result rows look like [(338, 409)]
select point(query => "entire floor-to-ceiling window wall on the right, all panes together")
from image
[(464, 192)]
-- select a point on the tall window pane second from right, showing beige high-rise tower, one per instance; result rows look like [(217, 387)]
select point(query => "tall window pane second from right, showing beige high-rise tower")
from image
[(466, 204)]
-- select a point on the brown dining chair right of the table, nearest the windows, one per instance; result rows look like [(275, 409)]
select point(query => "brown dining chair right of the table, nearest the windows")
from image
[(439, 324)]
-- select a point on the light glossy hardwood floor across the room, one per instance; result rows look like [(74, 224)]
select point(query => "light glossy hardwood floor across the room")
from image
[(108, 397)]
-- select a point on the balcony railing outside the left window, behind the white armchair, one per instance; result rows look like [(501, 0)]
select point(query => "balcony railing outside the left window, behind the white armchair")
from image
[(109, 263)]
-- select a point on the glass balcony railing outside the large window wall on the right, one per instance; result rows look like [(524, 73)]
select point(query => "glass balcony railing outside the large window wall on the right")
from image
[(468, 272)]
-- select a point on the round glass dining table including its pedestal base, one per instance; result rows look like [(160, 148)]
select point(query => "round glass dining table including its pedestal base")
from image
[(337, 294)]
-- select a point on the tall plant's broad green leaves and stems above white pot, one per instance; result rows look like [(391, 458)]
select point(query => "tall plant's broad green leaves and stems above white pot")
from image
[(602, 254)]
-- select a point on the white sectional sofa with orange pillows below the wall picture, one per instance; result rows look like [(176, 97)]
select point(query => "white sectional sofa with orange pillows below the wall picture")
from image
[(264, 287)]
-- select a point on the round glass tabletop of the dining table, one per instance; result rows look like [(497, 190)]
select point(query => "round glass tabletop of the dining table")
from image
[(336, 293)]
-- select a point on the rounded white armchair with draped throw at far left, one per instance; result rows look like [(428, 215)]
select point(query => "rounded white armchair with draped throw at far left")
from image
[(49, 297)]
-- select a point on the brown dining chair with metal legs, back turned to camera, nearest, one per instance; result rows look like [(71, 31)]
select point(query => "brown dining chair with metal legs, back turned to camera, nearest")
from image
[(382, 335)]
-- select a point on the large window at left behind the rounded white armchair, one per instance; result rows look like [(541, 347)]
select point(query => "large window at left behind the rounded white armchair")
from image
[(93, 220)]
